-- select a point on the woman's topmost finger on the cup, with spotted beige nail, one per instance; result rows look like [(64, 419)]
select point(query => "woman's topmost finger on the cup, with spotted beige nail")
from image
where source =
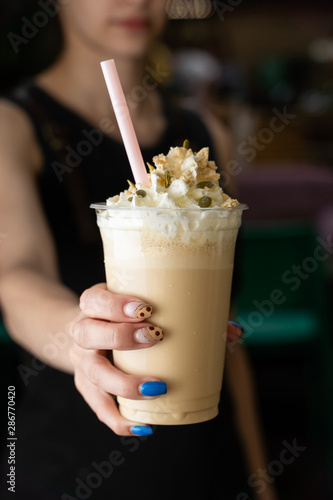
[(98, 302)]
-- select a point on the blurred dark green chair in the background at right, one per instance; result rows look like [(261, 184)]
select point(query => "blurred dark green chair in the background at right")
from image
[(283, 306)]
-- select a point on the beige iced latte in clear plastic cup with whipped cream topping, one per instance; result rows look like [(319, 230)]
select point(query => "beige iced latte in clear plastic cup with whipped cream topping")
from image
[(162, 245)]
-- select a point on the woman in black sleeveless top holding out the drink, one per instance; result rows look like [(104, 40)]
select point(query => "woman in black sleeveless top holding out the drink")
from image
[(60, 151)]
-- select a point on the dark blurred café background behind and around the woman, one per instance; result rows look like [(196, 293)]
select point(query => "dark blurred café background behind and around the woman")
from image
[(265, 69)]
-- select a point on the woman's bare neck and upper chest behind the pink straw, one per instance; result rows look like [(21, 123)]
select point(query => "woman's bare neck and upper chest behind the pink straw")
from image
[(76, 80)]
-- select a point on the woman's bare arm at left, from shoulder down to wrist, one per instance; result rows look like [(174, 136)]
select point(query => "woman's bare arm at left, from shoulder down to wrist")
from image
[(35, 305)]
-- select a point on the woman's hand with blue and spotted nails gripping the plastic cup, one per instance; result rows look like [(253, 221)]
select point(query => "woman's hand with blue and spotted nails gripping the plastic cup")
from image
[(111, 321)]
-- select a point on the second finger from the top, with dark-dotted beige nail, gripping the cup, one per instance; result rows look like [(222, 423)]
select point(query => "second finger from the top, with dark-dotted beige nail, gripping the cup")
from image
[(96, 334)]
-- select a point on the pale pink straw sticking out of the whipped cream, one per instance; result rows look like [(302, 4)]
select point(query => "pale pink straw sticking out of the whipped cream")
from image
[(124, 121)]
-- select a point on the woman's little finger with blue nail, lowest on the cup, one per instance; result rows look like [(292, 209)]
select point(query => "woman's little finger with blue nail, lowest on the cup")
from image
[(106, 409)]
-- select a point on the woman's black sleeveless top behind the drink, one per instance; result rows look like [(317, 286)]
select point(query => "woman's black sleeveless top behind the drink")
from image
[(63, 451)]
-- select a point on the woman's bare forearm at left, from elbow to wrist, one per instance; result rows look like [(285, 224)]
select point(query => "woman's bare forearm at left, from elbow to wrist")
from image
[(37, 312)]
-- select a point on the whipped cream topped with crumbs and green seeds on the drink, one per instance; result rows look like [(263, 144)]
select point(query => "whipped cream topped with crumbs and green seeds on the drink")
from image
[(181, 179)]
